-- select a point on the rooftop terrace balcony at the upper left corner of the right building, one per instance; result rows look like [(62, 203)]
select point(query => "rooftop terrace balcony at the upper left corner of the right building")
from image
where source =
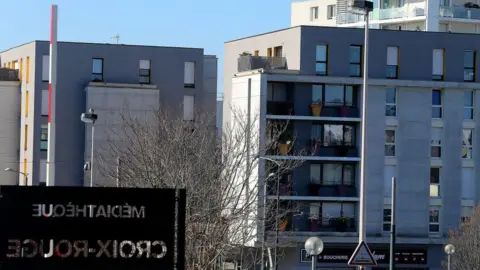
[(249, 62)]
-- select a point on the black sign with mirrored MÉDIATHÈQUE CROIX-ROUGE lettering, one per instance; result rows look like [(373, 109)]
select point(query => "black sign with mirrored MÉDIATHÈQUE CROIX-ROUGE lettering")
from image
[(91, 228)]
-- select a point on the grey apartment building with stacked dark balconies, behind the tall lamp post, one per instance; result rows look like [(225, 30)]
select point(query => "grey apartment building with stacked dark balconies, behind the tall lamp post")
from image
[(422, 109)]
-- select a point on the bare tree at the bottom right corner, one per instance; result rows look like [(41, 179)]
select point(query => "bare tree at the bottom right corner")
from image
[(466, 240)]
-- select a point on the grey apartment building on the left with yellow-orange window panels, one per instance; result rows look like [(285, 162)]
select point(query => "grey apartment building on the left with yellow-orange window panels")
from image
[(105, 77)]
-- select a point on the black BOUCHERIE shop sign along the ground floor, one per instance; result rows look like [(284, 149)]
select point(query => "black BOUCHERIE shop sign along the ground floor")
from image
[(382, 256)]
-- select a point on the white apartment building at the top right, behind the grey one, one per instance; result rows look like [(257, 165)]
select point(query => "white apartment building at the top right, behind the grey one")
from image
[(462, 16)]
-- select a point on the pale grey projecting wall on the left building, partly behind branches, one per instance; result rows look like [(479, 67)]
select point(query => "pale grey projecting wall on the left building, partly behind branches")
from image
[(108, 101)]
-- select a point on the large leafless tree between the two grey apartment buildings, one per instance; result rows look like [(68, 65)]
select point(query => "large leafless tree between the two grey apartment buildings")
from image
[(221, 176)]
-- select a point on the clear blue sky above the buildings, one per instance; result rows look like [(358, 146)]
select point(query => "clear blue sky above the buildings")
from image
[(191, 23)]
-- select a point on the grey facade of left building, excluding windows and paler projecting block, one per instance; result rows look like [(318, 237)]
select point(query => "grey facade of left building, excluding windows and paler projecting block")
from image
[(120, 65)]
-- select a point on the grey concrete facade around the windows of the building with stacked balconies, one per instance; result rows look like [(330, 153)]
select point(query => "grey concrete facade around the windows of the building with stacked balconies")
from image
[(414, 126)]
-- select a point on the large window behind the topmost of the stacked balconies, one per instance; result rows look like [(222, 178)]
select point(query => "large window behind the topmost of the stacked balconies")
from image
[(331, 95)]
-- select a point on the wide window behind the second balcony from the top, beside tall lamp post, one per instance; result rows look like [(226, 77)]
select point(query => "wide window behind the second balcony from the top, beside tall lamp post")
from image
[(338, 135)]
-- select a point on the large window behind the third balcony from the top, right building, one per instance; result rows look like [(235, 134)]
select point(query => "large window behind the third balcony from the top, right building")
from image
[(332, 173)]
